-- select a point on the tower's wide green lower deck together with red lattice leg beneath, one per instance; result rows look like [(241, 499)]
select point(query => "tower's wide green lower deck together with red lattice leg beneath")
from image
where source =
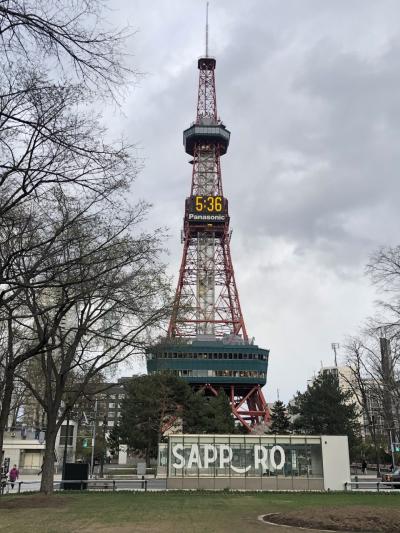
[(210, 364)]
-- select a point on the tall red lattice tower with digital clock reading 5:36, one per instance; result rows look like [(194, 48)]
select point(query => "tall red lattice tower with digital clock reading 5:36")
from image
[(207, 343)]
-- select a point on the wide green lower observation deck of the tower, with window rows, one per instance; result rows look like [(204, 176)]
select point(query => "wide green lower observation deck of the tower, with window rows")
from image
[(220, 363)]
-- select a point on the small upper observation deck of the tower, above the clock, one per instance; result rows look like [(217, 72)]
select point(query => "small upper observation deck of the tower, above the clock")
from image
[(206, 133)]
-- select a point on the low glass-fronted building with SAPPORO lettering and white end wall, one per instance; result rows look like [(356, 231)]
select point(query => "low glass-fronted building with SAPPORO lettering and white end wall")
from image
[(255, 462)]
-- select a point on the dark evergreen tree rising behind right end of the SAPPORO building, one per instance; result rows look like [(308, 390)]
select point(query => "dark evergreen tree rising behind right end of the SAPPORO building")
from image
[(326, 409)]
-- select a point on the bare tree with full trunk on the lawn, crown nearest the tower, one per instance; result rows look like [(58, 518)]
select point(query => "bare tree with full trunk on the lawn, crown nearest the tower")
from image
[(108, 292)]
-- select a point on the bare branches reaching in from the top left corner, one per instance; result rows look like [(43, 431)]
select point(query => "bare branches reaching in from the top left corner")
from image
[(68, 32)]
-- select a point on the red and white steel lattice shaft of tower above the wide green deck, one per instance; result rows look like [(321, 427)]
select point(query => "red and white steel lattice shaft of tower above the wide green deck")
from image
[(207, 299)]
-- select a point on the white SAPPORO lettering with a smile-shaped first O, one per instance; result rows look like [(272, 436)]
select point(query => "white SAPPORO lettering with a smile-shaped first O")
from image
[(222, 456)]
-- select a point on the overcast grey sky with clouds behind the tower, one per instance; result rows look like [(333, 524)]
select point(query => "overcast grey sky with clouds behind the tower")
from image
[(310, 92)]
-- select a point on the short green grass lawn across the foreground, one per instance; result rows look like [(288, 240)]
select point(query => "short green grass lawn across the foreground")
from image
[(169, 512)]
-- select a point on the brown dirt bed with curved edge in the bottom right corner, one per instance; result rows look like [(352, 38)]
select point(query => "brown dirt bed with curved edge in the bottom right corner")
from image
[(351, 519)]
